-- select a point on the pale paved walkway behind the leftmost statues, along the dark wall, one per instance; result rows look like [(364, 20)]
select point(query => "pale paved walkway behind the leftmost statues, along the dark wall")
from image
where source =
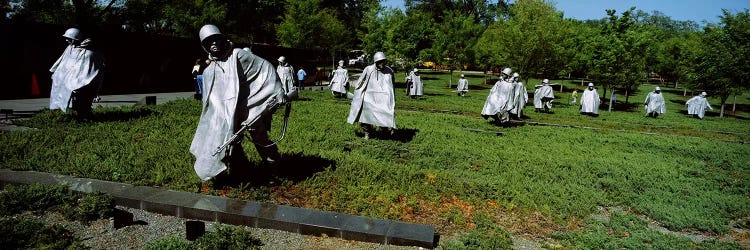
[(37, 104)]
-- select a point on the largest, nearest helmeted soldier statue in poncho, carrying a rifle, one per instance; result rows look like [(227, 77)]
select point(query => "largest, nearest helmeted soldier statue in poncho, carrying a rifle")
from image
[(238, 87)]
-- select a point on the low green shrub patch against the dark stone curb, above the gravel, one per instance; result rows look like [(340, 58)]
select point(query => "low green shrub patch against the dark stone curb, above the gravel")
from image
[(38, 197)]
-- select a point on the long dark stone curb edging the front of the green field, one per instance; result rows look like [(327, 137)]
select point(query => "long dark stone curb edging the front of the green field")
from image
[(237, 212)]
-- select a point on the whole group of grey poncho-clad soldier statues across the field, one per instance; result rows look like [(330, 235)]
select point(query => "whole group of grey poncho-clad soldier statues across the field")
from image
[(241, 91)]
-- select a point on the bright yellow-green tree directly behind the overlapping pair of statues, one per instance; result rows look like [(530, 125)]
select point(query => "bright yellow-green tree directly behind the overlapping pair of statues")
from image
[(528, 42)]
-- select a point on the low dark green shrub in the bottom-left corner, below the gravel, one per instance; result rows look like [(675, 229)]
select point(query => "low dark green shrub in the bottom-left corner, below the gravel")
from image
[(29, 234)]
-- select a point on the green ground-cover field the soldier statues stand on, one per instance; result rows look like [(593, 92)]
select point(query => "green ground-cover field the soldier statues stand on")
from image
[(549, 179)]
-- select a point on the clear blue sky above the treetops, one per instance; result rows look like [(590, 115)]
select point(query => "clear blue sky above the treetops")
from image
[(681, 10)]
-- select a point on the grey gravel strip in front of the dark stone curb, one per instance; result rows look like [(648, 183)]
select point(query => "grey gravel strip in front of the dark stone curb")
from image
[(150, 226)]
